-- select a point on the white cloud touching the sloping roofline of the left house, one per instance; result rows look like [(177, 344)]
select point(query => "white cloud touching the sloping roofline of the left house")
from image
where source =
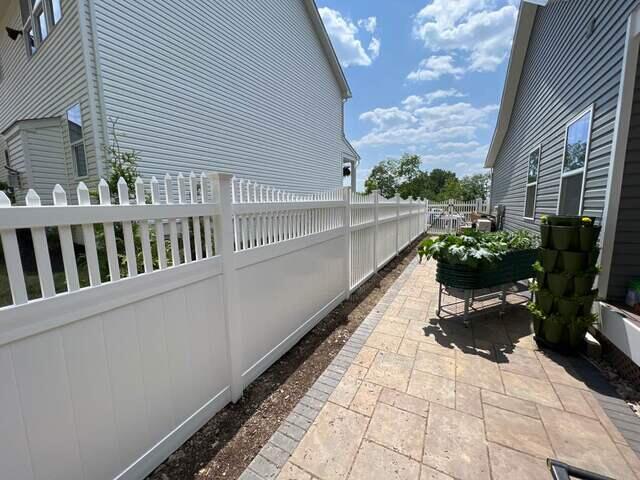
[(344, 34)]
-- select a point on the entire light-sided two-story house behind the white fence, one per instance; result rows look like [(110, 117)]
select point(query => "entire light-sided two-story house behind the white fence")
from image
[(251, 88)]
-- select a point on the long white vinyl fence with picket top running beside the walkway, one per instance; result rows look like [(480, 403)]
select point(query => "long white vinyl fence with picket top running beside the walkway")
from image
[(169, 305)]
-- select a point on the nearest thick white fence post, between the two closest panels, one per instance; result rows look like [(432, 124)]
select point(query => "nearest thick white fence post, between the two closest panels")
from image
[(223, 241)]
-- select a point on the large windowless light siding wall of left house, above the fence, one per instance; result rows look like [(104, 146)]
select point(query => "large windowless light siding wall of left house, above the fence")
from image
[(239, 87)]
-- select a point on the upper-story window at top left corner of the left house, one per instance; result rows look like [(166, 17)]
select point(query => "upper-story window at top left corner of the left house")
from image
[(38, 19)]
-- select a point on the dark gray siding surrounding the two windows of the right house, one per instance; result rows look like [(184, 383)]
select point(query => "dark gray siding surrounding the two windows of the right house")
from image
[(565, 72)]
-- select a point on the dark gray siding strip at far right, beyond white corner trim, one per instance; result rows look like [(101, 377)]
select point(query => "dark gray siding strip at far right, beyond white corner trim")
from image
[(625, 263)]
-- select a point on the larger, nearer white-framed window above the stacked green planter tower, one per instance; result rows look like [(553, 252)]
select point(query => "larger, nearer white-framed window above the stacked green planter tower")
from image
[(574, 164)]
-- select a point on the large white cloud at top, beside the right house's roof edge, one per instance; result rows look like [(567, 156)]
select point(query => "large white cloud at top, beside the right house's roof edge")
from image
[(480, 29)]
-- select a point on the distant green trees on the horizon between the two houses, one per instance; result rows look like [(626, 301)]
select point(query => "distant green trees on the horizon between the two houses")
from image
[(404, 177)]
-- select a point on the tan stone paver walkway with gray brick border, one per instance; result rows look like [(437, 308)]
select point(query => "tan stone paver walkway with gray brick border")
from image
[(412, 397)]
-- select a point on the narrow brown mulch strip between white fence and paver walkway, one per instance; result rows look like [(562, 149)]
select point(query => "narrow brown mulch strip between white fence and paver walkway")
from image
[(225, 446)]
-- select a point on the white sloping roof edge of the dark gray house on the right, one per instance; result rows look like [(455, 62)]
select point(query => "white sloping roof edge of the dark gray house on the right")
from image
[(521, 35)]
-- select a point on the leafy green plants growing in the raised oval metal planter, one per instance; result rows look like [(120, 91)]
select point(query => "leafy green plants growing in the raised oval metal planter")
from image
[(475, 249)]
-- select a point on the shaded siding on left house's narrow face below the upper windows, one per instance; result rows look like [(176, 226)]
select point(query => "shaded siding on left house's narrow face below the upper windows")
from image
[(46, 84)]
